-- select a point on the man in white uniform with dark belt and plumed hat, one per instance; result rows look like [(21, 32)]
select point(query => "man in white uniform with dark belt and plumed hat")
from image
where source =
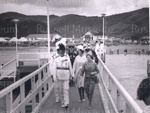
[(63, 74)]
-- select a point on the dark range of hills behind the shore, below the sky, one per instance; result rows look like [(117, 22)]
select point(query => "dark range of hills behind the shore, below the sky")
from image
[(134, 23)]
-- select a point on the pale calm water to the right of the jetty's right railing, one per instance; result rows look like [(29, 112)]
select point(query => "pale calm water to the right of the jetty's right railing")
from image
[(129, 70)]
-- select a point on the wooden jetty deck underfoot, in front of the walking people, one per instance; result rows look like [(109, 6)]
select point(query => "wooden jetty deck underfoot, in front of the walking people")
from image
[(75, 106)]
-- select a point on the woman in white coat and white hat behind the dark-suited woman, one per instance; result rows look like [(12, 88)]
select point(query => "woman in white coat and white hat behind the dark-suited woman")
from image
[(78, 63)]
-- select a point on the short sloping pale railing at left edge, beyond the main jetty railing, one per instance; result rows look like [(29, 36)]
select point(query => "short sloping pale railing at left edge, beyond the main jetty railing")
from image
[(8, 70)]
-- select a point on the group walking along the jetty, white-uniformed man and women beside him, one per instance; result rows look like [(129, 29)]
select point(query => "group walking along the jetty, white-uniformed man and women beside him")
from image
[(84, 72)]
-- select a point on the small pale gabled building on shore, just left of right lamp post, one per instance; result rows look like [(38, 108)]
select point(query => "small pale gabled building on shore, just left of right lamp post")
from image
[(93, 36)]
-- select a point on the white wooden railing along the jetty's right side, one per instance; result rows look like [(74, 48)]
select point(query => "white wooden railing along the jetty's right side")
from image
[(115, 98)]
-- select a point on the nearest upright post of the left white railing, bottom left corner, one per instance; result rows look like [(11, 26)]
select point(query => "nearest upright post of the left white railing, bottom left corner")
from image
[(9, 100)]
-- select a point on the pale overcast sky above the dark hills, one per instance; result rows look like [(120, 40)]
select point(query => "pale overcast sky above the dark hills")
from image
[(80, 7)]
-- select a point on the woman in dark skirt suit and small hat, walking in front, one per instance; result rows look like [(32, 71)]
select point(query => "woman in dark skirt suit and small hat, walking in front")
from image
[(90, 70)]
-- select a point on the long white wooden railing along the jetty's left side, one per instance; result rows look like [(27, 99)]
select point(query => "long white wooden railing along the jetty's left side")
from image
[(20, 95)]
